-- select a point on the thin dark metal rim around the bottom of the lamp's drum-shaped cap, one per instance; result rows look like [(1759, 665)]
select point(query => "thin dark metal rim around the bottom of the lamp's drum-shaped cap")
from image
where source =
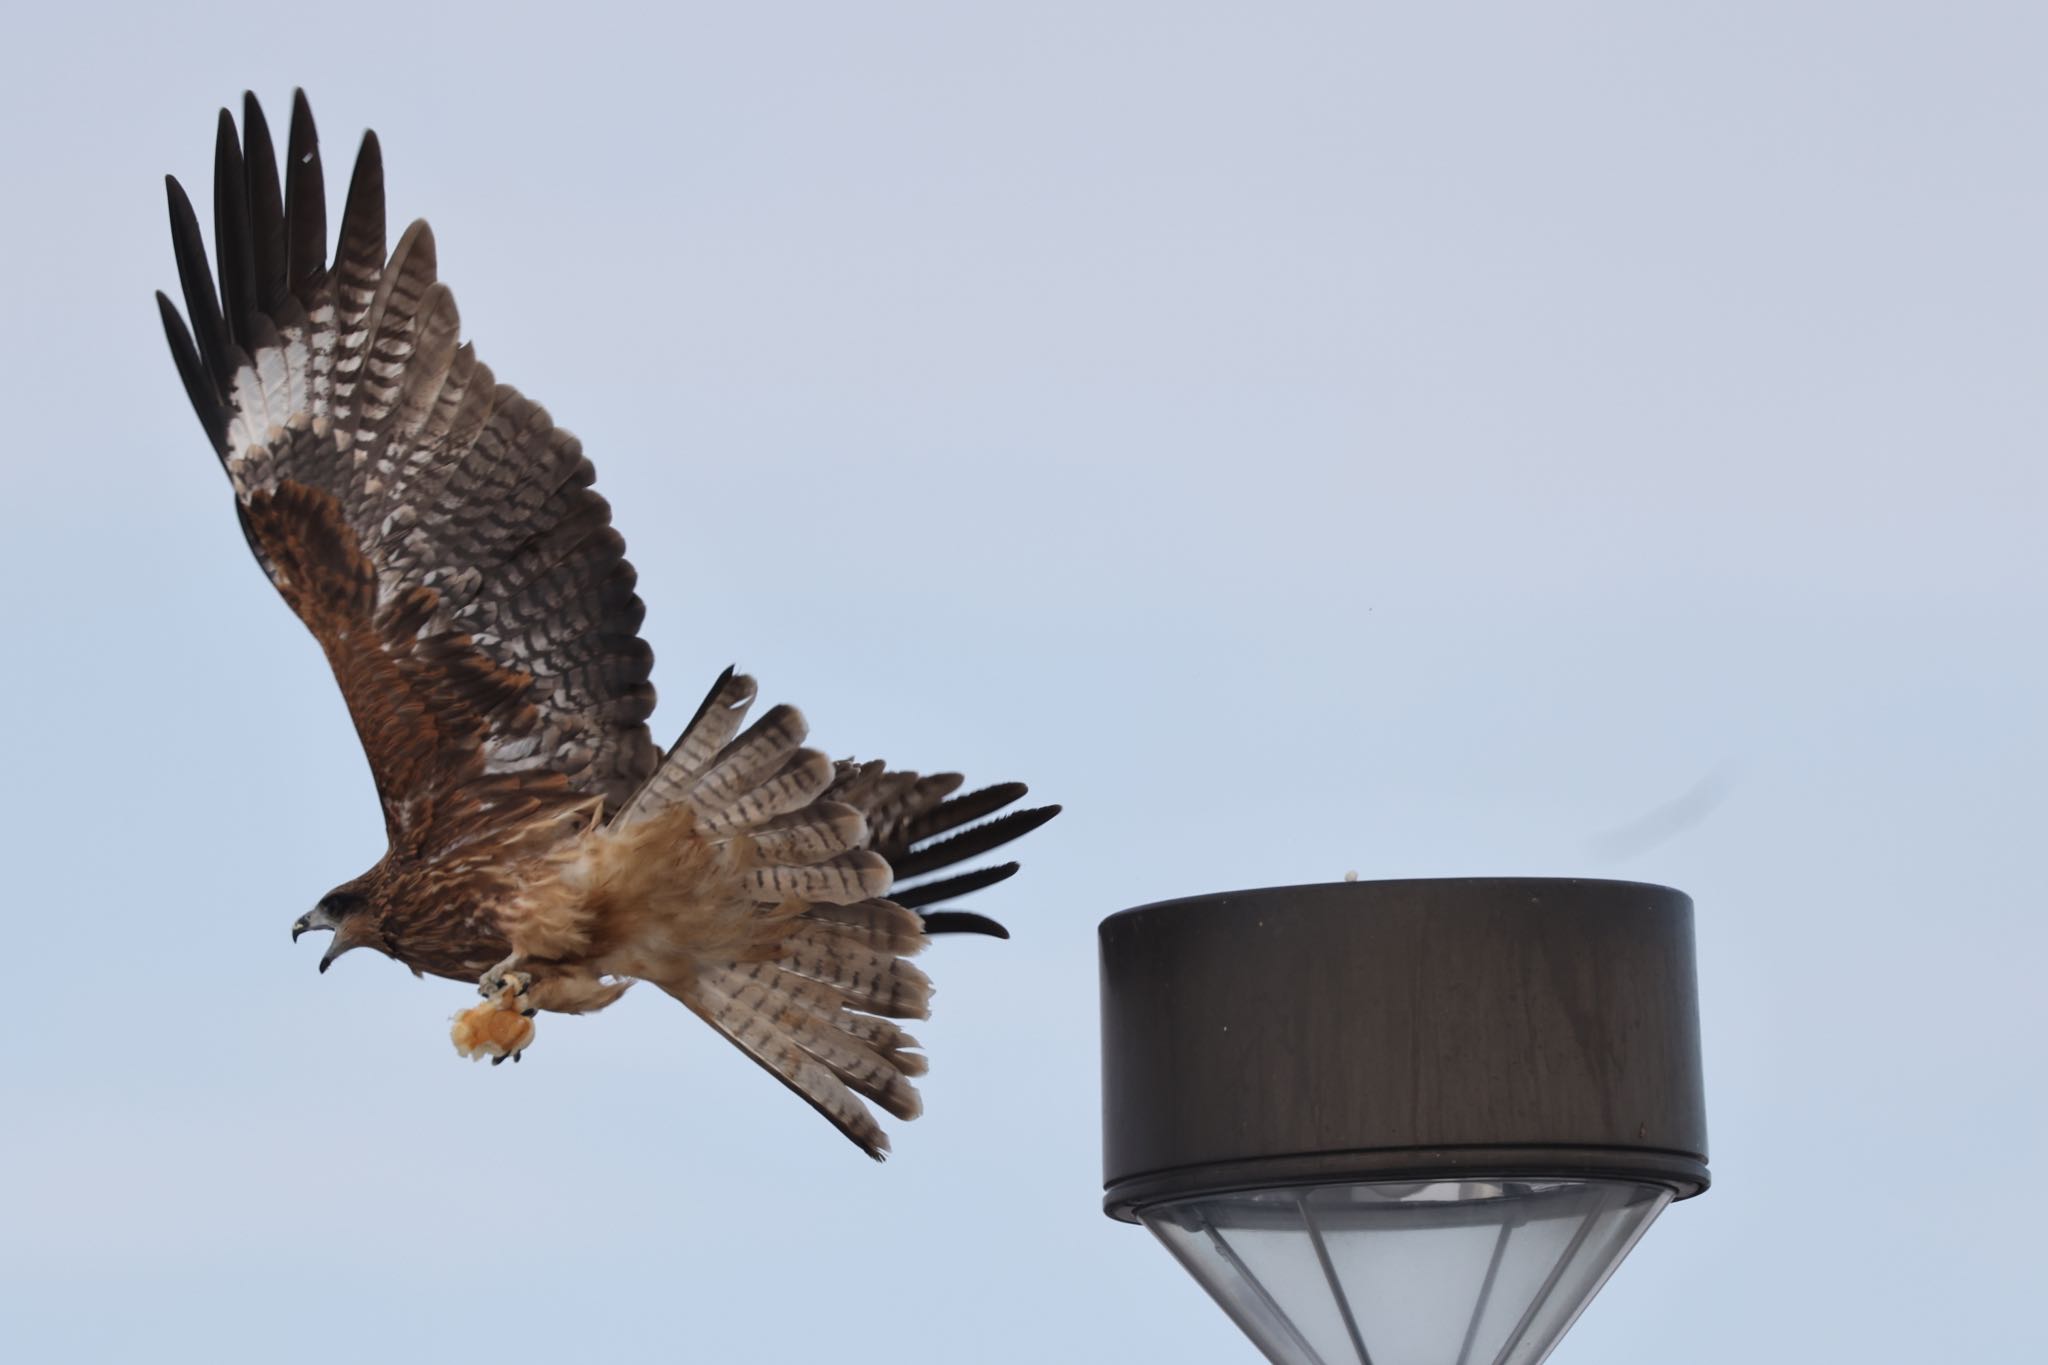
[(1682, 1174)]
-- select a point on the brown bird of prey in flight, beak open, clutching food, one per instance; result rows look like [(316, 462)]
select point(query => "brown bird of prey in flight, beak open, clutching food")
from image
[(441, 539)]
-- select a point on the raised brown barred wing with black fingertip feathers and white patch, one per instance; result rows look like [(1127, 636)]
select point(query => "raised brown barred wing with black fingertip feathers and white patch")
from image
[(429, 525)]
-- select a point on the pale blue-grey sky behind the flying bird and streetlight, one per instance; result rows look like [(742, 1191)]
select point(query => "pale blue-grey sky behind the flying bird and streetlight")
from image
[(1302, 439)]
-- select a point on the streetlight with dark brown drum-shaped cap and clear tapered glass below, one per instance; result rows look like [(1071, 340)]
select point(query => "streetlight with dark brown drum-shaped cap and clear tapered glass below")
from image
[(1404, 1122)]
